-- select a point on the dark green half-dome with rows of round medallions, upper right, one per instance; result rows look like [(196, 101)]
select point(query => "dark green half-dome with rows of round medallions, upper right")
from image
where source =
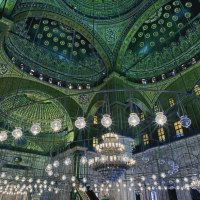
[(166, 40)]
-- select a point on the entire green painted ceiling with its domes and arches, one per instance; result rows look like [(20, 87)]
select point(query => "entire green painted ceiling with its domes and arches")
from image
[(108, 44)]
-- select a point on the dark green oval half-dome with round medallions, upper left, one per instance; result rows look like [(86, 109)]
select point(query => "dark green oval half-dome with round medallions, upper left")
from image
[(54, 50)]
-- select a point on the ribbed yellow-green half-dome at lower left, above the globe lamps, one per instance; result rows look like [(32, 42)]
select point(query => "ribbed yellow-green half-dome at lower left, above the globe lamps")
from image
[(26, 108)]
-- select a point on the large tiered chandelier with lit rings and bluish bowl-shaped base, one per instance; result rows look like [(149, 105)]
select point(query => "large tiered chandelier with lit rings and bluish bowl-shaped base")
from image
[(111, 161)]
